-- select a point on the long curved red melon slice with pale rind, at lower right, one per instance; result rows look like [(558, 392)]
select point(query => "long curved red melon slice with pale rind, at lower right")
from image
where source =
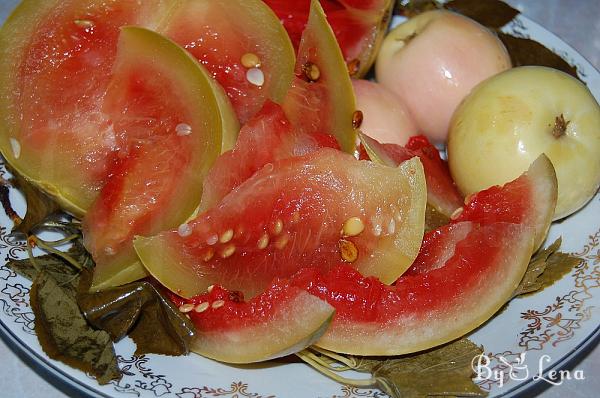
[(463, 286)]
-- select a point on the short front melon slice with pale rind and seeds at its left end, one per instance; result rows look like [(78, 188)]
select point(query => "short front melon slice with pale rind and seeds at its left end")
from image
[(281, 321)]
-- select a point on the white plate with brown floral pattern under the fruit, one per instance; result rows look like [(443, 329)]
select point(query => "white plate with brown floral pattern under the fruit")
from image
[(554, 324)]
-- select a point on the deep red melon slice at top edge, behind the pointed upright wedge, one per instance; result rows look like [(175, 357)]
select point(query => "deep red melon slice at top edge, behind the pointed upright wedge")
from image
[(359, 26)]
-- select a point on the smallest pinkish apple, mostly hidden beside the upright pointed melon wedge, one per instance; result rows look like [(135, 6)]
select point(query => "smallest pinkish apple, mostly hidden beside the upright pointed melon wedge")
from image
[(385, 117)]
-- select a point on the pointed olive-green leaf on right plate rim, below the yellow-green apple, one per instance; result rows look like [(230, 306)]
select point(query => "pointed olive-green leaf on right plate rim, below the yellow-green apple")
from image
[(545, 268)]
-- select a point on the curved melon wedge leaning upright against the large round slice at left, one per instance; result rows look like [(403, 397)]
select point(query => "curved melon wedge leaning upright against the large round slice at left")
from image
[(166, 119)]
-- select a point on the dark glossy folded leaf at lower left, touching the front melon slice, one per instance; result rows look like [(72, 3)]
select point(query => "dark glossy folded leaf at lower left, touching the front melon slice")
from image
[(140, 310)]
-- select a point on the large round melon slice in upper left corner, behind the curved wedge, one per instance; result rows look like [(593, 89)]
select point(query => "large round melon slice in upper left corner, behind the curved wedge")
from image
[(61, 53)]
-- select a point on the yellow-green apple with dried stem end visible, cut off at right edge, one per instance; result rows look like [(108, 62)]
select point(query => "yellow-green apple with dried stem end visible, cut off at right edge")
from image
[(511, 118)]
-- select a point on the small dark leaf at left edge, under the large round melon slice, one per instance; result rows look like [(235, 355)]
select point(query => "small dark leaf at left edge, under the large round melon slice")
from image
[(39, 205)]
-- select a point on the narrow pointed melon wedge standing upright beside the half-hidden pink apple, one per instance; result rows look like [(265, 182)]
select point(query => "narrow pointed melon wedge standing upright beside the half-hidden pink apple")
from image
[(322, 85)]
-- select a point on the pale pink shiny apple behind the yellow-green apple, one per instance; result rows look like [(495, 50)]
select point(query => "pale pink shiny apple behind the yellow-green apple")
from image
[(432, 61)]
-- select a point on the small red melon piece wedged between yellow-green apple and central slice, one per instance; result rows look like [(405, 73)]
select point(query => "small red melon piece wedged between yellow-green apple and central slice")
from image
[(442, 193)]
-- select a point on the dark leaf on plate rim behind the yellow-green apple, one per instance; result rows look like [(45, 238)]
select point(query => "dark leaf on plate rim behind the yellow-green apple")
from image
[(525, 51)]
